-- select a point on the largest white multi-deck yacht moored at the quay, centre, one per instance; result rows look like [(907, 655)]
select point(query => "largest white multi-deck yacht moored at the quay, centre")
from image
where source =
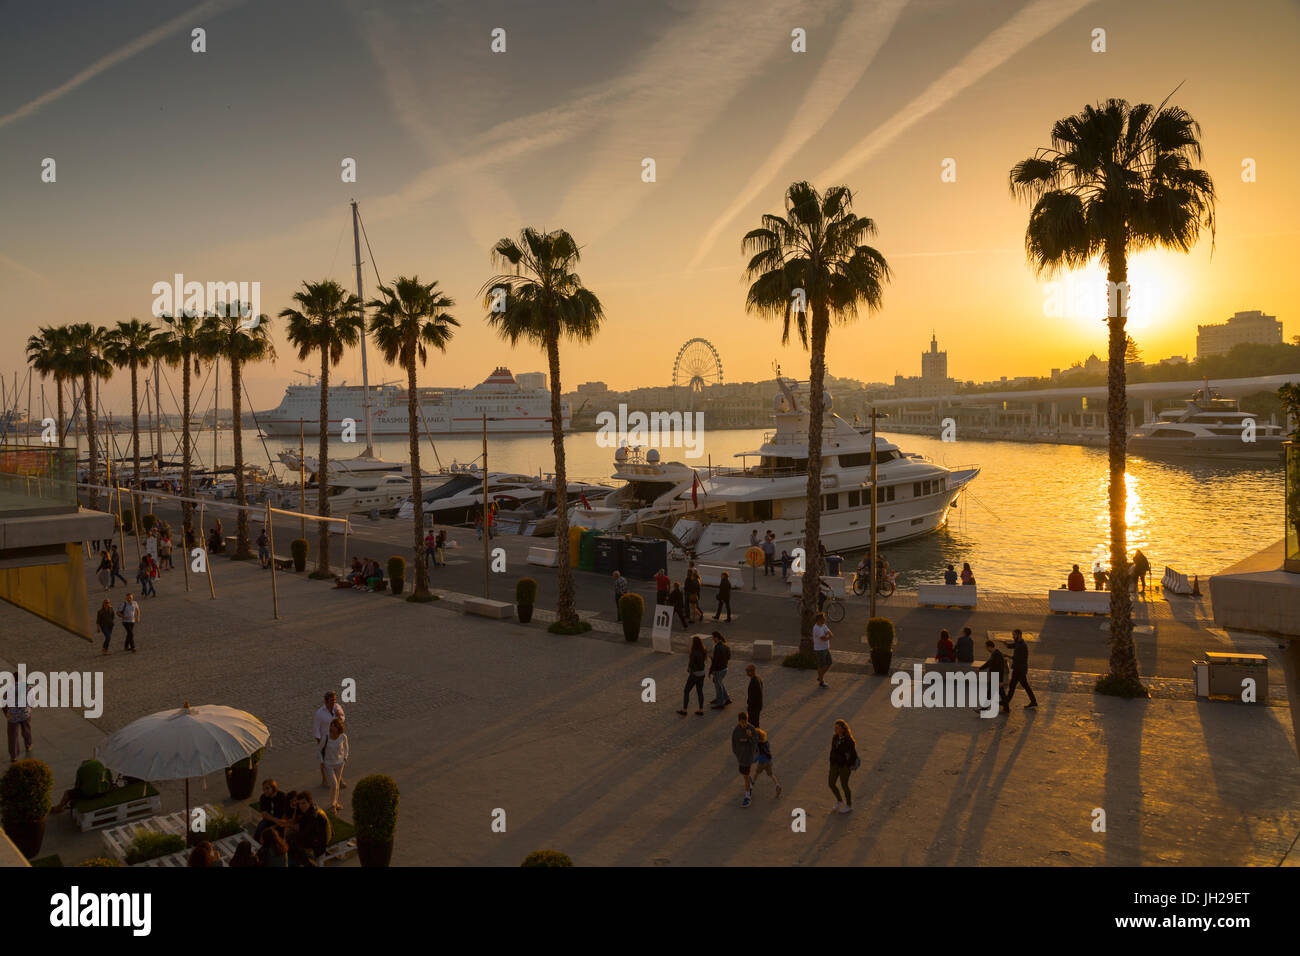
[(913, 494)]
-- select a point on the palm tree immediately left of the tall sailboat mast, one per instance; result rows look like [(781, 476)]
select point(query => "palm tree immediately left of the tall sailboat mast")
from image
[(328, 321)]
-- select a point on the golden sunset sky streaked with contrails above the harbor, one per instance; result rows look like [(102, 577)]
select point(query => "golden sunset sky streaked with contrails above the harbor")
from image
[(226, 166)]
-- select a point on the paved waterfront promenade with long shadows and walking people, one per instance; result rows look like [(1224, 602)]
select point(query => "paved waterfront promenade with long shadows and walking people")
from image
[(473, 716)]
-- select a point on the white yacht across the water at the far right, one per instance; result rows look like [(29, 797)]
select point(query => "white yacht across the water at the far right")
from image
[(1208, 427)]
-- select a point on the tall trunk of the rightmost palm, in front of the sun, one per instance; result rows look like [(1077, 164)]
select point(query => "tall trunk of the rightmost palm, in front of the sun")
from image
[(1124, 655)]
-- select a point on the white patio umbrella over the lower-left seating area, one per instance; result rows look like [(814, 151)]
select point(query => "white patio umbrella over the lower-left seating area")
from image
[(184, 743)]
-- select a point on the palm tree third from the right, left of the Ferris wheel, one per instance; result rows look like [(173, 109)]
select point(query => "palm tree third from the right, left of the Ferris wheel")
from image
[(541, 302)]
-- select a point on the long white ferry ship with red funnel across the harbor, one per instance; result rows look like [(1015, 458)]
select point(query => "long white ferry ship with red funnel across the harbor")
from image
[(510, 409)]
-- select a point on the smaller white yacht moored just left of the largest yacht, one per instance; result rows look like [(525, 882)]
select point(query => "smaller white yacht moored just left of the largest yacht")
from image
[(651, 500)]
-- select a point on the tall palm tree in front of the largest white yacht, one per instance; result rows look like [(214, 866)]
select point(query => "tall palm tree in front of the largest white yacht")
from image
[(814, 257)]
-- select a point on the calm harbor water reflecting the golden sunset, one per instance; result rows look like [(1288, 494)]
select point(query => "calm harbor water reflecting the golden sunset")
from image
[(1033, 512)]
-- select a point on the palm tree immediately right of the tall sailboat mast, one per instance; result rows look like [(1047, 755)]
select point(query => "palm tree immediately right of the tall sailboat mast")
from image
[(408, 321)]
